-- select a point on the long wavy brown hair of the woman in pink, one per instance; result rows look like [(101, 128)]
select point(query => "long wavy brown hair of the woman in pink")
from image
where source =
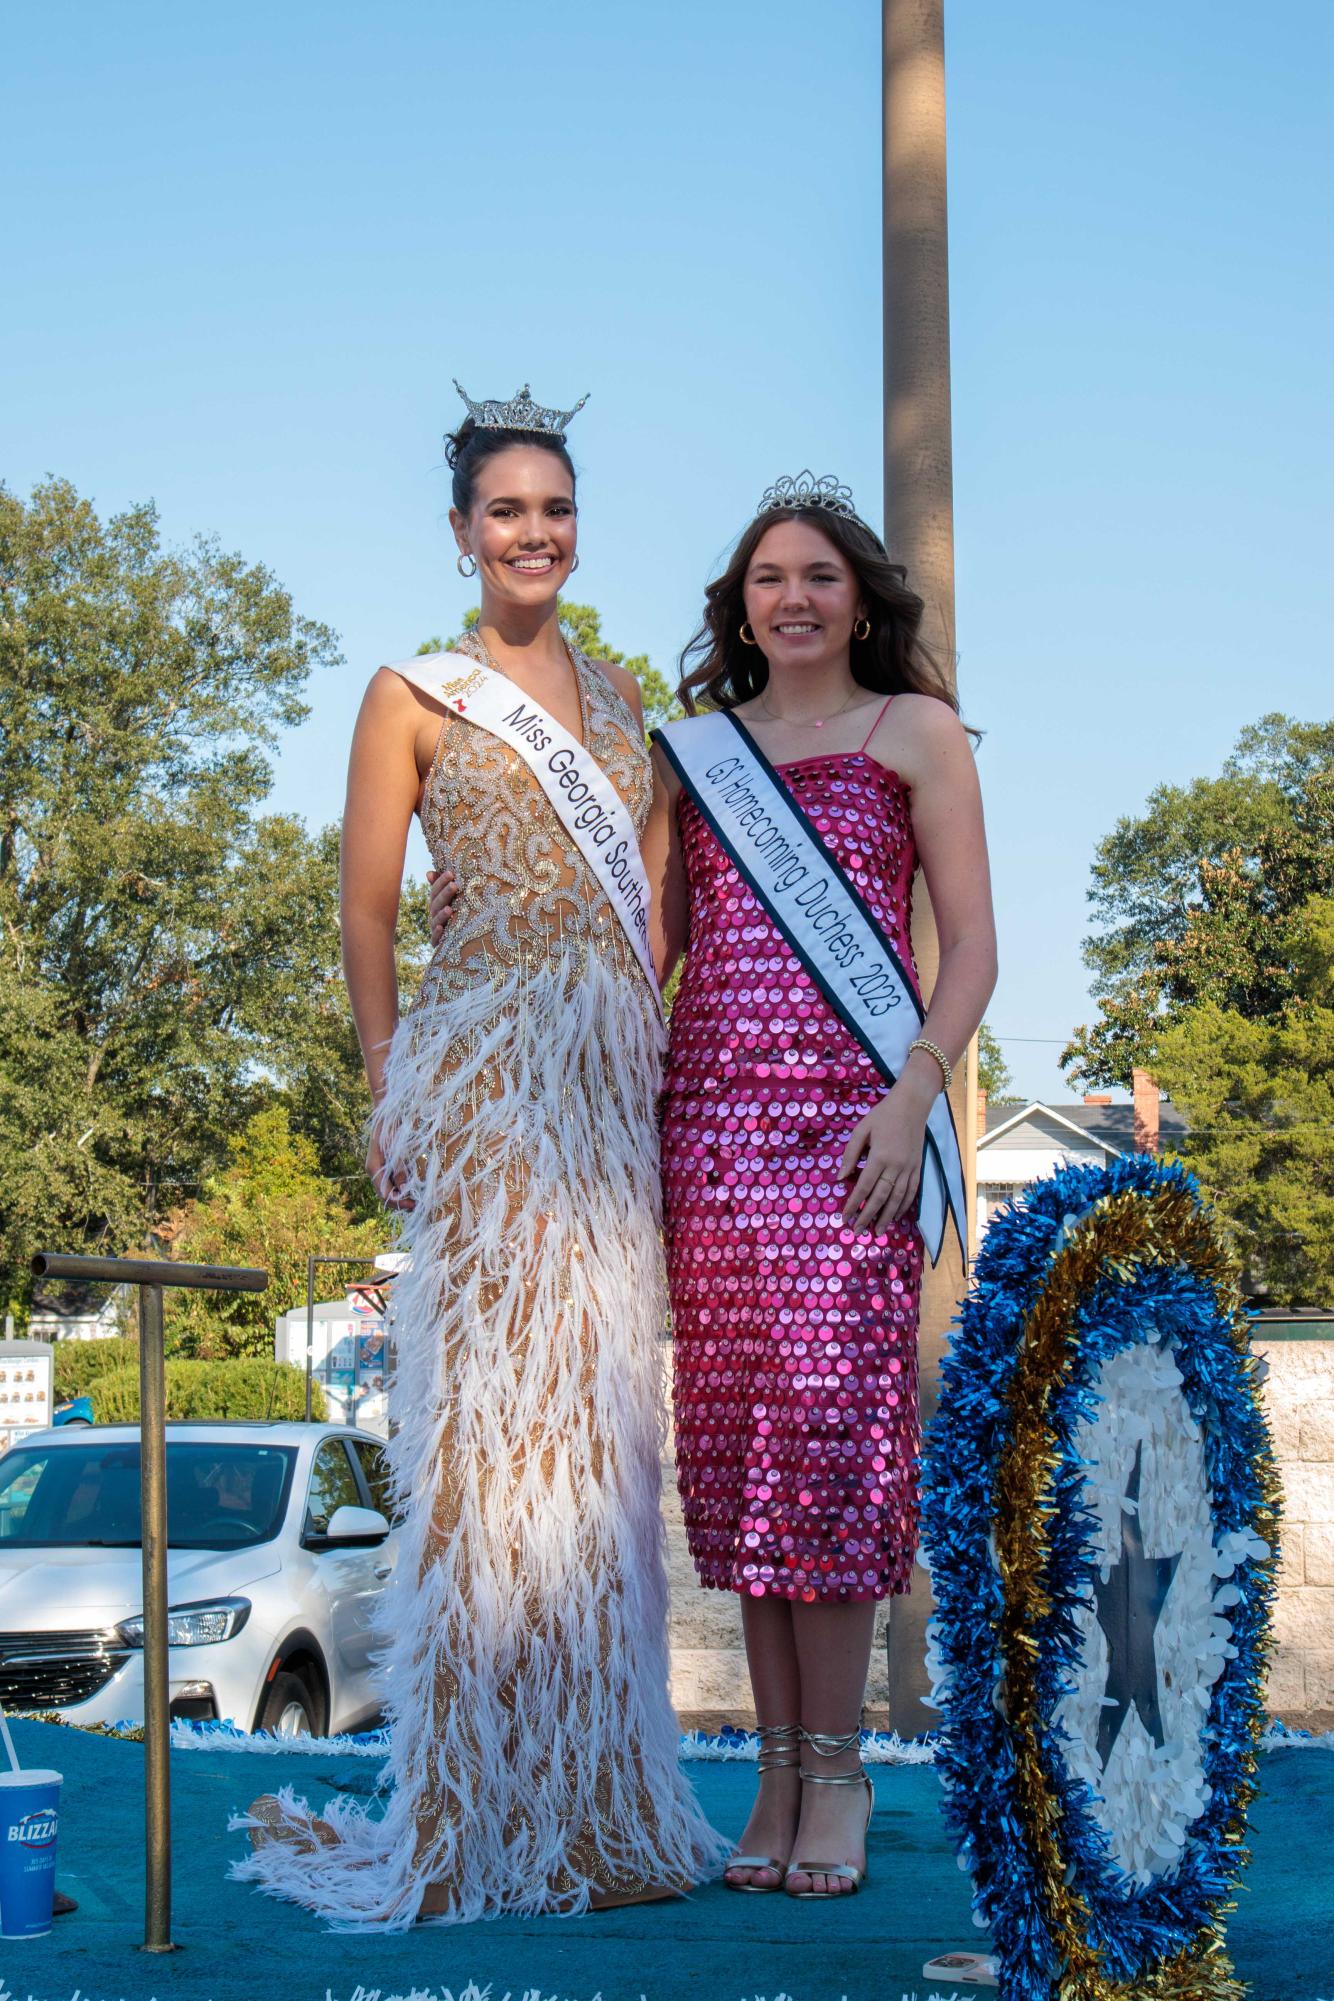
[(721, 671)]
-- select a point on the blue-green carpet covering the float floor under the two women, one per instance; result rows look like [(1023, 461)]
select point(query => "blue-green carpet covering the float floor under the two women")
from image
[(711, 1948)]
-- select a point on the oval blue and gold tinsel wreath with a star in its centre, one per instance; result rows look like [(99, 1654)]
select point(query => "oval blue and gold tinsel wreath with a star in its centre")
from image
[(1101, 1520)]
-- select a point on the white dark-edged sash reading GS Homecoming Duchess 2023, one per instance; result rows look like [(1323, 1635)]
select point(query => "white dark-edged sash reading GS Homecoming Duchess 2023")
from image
[(827, 923)]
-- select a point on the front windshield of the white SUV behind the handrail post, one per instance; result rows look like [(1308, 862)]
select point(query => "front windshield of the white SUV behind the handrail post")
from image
[(87, 1496)]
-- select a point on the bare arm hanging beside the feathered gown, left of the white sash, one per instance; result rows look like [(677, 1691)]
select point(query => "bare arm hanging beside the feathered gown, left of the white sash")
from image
[(383, 789)]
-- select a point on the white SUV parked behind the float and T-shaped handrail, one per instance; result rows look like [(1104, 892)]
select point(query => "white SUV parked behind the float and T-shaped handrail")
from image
[(279, 1546)]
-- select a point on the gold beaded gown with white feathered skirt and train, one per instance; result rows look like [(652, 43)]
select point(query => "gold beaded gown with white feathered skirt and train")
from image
[(535, 1750)]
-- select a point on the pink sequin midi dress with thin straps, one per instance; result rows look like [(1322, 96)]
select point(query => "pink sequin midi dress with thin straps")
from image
[(797, 1398)]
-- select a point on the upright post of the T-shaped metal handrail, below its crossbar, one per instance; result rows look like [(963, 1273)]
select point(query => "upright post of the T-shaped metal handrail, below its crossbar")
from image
[(157, 1670)]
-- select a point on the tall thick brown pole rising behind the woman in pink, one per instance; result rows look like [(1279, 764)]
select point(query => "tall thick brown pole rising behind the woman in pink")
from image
[(919, 529)]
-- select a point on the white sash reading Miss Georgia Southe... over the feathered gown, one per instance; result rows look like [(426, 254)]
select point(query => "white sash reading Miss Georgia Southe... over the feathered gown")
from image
[(587, 803)]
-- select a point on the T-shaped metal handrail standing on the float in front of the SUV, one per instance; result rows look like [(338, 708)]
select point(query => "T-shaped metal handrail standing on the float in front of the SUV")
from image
[(151, 1276)]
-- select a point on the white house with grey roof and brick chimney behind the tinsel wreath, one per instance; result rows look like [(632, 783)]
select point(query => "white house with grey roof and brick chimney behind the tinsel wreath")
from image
[(1021, 1142)]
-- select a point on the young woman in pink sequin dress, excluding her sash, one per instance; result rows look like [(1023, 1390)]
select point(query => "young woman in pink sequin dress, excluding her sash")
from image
[(791, 1170)]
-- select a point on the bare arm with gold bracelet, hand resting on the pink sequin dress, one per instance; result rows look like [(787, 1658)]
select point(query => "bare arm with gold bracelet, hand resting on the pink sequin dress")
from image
[(935, 757)]
